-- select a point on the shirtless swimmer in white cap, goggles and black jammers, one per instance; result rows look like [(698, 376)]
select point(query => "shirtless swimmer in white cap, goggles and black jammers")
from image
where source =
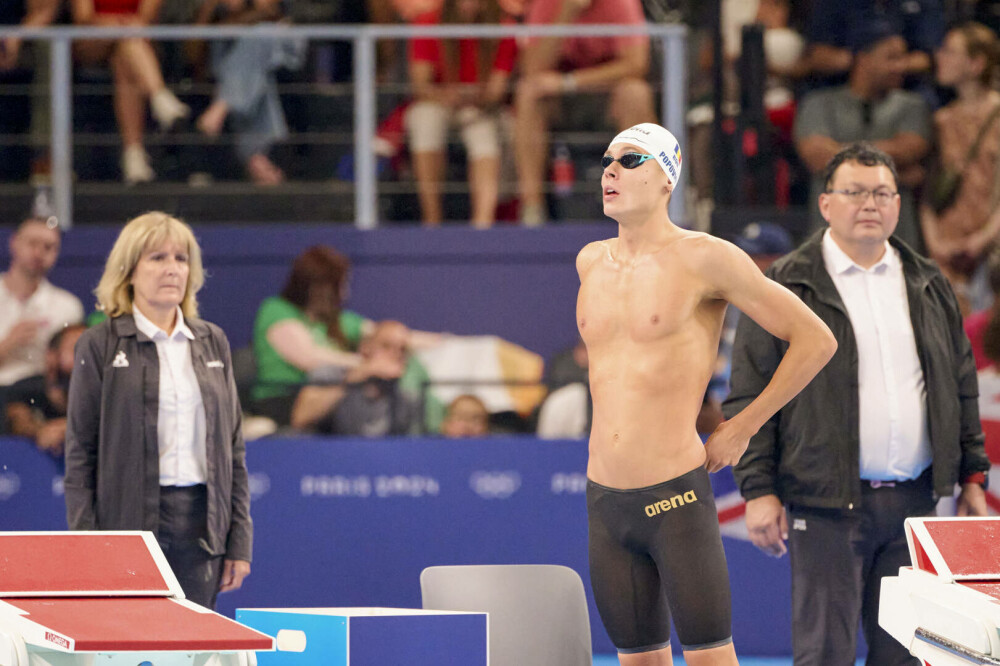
[(650, 310)]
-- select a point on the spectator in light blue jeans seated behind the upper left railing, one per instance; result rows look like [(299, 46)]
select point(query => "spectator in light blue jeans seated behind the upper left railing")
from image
[(246, 90)]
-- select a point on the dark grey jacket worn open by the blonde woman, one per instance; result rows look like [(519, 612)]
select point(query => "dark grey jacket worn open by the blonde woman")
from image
[(112, 452)]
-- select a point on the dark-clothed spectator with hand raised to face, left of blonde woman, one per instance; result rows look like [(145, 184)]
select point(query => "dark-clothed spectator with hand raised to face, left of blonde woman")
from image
[(36, 406)]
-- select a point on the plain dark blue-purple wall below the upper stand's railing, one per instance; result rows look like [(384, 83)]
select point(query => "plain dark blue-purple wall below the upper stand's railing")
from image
[(517, 283)]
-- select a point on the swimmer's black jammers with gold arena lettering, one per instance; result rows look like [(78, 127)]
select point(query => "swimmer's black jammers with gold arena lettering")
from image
[(656, 551)]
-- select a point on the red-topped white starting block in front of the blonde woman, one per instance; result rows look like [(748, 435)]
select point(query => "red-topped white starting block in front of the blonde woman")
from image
[(67, 598)]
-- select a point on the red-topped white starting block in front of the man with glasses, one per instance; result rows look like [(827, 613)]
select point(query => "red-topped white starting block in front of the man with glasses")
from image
[(946, 607)]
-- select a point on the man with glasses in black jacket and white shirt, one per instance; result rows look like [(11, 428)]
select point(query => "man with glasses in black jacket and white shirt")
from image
[(887, 427)]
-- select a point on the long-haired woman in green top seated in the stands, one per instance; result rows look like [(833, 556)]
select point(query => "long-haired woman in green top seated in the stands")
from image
[(305, 334)]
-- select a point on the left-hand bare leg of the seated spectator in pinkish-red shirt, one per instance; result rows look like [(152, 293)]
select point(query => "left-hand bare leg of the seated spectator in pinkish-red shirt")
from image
[(531, 148)]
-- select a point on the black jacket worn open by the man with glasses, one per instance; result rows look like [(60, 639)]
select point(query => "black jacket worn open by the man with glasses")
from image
[(807, 454)]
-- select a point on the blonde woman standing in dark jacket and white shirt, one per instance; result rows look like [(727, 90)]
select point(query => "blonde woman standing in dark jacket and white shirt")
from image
[(154, 439)]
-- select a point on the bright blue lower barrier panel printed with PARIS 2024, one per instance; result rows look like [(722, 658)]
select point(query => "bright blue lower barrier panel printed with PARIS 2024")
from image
[(353, 522)]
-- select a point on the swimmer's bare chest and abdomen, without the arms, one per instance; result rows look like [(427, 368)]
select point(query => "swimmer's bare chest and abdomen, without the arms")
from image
[(652, 336)]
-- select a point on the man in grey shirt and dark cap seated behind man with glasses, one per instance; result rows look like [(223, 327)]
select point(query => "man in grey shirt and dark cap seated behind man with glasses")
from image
[(870, 107)]
